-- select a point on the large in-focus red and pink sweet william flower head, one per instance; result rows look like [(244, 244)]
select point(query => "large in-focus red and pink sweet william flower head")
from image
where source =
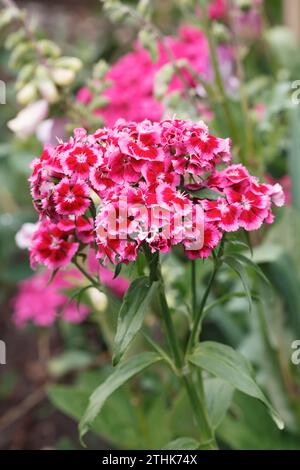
[(156, 184)]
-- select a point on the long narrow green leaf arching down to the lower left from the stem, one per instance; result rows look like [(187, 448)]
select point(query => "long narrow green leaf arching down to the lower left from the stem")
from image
[(121, 375)]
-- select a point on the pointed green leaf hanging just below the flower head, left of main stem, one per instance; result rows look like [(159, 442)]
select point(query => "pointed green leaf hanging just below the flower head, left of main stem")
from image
[(132, 313)]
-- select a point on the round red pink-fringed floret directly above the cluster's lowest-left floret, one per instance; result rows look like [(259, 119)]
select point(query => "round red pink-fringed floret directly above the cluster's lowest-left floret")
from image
[(71, 198)]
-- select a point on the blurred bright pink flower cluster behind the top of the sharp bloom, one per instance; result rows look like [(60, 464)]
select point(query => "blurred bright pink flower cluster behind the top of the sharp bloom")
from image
[(131, 95)]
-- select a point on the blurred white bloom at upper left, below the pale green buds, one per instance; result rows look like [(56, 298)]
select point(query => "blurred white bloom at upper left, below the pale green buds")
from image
[(27, 120)]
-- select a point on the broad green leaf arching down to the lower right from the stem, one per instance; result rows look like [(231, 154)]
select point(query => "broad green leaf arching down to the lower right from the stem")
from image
[(229, 365)]
